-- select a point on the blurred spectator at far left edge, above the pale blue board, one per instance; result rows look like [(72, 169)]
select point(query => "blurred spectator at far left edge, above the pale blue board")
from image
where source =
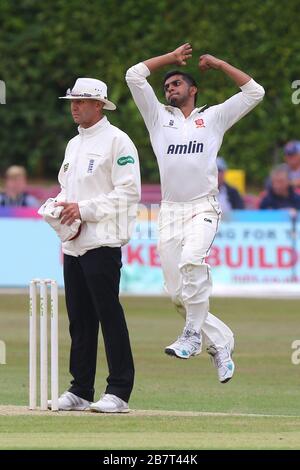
[(15, 189)]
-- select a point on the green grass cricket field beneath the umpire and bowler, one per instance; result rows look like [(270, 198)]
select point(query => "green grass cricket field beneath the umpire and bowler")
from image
[(206, 414)]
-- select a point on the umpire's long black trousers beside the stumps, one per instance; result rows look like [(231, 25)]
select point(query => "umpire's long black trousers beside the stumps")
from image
[(92, 296)]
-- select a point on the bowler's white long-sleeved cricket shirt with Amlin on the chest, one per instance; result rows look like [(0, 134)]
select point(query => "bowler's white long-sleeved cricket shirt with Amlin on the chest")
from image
[(186, 148)]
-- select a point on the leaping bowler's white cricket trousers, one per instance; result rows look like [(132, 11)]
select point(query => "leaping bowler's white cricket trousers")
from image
[(186, 234)]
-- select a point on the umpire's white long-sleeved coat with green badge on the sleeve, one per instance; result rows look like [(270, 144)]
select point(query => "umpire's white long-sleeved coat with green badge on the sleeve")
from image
[(101, 172)]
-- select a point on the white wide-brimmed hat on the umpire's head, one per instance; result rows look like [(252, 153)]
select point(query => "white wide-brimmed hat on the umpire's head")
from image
[(89, 89)]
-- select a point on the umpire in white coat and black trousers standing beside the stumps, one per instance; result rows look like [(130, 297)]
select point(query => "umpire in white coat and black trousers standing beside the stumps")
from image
[(100, 184)]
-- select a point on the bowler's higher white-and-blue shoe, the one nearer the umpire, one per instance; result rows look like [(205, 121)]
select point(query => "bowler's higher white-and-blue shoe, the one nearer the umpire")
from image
[(186, 345)]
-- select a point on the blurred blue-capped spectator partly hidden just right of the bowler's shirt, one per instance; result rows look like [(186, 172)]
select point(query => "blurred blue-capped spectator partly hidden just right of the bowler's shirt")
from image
[(229, 197)]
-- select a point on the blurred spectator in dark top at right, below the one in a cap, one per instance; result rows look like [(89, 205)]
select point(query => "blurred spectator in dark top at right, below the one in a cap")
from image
[(281, 194)]
